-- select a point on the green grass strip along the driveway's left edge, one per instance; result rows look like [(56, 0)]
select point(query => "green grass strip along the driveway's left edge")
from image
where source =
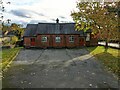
[(7, 55)]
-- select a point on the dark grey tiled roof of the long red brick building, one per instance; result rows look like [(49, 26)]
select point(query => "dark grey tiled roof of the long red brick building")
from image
[(52, 28)]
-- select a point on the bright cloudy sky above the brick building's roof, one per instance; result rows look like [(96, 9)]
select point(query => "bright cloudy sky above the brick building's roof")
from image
[(34, 11)]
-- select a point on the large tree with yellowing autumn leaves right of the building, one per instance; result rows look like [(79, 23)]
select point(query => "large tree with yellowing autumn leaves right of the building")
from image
[(99, 18)]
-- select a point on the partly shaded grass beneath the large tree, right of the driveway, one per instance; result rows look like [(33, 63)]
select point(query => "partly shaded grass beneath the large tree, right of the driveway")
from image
[(109, 57)]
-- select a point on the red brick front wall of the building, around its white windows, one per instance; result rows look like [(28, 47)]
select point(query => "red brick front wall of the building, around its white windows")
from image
[(52, 43)]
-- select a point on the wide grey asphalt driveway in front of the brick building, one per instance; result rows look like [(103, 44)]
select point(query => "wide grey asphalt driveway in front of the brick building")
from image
[(57, 68)]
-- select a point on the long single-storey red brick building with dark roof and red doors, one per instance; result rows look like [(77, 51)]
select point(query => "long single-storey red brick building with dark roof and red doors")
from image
[(44, 35)]
